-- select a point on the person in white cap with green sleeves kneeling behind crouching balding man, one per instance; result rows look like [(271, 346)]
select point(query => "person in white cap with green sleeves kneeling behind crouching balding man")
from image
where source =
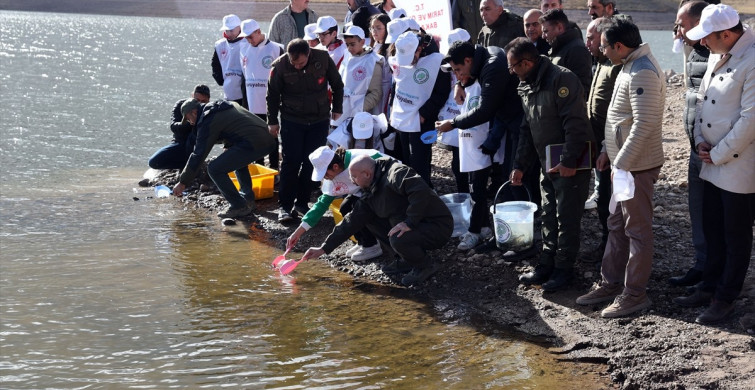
[(330, 168)]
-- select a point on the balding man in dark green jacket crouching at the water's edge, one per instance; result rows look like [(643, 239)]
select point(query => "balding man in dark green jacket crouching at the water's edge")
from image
[(401, 210)]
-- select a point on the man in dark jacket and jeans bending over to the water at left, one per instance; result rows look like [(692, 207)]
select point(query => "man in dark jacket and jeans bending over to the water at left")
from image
[(245, 138)]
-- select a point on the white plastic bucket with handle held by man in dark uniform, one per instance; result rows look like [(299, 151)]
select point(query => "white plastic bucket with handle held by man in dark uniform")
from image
[(514, 223)]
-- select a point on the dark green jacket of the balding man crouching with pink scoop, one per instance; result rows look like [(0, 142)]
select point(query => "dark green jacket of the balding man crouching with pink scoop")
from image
[(397, 194)]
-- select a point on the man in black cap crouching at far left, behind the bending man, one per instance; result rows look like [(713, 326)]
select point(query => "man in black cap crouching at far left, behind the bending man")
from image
[(174, 156)]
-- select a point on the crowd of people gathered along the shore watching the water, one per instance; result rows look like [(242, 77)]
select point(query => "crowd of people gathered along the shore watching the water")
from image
[(361, 107)]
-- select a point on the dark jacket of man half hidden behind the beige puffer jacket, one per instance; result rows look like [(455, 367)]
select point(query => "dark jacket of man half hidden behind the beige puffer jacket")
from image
[(600, 97)]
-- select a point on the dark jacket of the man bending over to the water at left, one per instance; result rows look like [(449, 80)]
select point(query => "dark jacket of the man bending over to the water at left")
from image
[(233, 125)]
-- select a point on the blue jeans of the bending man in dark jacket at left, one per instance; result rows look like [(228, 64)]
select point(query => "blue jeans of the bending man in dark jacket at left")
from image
[(236, 159)]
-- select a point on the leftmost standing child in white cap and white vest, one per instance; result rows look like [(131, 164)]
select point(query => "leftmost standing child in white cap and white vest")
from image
[(226, 69)]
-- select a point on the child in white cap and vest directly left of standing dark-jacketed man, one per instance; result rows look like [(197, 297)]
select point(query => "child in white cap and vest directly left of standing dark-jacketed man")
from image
[(256, 60)]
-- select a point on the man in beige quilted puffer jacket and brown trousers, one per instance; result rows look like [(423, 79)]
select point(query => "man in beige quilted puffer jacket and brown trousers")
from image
[(634, 148)]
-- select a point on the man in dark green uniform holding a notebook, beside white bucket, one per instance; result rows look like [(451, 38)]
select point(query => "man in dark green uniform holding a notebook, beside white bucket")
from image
[(554, 113)]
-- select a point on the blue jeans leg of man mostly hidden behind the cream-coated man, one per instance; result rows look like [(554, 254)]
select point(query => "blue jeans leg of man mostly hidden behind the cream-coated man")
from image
[(695, 200)]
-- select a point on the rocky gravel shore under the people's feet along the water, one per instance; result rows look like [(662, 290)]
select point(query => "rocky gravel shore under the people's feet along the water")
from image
[(661, 348)]
